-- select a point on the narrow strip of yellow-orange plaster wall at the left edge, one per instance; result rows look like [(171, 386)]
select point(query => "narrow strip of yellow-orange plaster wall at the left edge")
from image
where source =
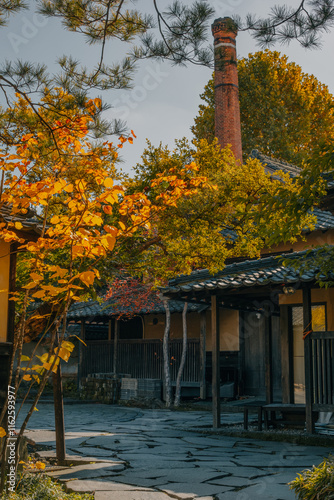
[(4, 284)]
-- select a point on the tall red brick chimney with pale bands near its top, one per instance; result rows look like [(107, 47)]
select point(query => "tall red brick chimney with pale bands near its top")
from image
[(227, 110)]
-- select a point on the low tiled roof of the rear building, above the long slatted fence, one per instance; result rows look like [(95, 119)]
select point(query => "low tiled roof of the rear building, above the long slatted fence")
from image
[(94, 309)]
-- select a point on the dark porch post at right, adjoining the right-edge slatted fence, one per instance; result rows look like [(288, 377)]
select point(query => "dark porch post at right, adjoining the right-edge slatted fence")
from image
[(307, 324)]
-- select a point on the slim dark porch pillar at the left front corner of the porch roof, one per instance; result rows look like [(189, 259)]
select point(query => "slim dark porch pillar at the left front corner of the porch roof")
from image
[(215, 361)]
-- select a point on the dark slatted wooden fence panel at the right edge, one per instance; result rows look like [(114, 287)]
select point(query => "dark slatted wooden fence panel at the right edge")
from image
[(322, 348)]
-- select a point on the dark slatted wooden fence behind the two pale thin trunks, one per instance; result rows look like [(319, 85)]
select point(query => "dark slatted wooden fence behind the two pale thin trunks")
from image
[(140, 358)]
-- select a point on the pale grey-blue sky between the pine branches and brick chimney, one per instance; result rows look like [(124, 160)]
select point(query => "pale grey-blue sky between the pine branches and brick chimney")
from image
[(164, 99)]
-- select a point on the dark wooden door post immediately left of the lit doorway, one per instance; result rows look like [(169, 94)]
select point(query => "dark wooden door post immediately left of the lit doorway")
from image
[(286, 356)]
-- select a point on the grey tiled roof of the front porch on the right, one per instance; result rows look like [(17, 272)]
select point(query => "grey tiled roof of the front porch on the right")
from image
[(264, 271)]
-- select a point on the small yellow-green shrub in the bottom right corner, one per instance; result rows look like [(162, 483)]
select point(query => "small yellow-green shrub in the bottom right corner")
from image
[(316, 484)]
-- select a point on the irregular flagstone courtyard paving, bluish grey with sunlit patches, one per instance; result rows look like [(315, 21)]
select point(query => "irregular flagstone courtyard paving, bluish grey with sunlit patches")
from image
[(151, 455)]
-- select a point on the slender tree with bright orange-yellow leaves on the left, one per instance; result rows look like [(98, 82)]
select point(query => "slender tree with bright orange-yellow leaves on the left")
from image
[(84, 216)]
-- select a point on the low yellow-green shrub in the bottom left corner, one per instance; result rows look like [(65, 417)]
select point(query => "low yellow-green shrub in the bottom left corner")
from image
[(42, 487)]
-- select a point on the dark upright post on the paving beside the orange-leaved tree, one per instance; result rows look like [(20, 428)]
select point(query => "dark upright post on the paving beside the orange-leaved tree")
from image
[(59, 416)]
